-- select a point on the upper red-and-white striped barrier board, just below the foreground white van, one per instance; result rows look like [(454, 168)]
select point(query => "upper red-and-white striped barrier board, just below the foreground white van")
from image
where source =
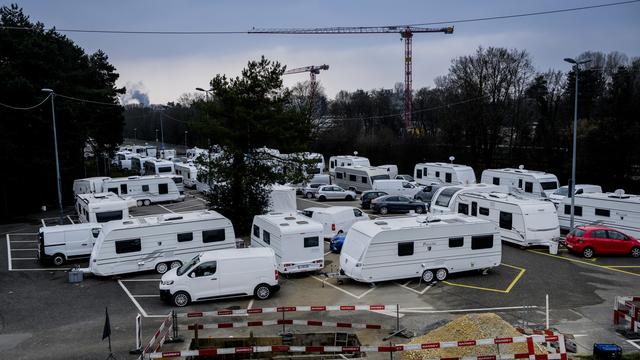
[(281, 309)]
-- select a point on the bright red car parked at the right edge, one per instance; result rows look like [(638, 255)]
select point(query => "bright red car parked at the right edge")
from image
[(592, 239)]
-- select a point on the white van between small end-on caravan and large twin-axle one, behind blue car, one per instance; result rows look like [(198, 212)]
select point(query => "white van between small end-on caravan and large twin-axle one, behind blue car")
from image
[(335, 219)]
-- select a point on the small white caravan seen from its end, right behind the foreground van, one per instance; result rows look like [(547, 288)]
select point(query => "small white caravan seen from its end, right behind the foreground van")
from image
[(295, 239)]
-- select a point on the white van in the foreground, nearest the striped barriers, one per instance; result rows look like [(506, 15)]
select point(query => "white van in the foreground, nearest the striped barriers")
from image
[(222, 274)]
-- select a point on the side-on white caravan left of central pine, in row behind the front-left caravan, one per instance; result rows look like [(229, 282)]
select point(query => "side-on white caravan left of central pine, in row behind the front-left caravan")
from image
[(146, 190)]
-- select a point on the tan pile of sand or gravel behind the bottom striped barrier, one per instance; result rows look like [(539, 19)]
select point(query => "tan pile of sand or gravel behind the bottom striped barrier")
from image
[(470, 327)]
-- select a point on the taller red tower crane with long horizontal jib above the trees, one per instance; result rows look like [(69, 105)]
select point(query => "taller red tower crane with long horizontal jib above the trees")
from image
[(406, 34)]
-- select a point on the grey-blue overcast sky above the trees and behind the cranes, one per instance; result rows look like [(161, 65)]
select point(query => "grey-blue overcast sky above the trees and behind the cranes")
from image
[(167, 66)]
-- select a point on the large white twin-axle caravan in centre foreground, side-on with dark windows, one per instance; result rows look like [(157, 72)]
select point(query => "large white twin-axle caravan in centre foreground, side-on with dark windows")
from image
[(419, 247)]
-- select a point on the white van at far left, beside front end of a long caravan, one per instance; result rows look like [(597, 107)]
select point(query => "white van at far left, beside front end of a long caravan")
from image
[(61, 243)]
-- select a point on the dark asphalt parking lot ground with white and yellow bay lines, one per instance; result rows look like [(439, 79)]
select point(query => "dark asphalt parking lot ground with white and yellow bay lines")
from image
[(45, 317)]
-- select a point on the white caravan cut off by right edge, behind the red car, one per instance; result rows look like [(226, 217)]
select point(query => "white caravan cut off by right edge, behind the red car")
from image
[(617, 210)]
